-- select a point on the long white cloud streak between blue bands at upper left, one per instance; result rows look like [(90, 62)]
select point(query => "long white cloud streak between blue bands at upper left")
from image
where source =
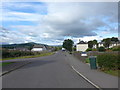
[(20, 16)]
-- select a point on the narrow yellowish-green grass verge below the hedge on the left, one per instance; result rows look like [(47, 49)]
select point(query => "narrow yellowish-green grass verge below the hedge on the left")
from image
[(33, 56)]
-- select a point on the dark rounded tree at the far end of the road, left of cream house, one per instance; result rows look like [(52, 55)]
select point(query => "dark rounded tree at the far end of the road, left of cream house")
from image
[(68, 44)]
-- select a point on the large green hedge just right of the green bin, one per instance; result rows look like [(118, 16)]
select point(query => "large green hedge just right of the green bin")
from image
[(108, 61)]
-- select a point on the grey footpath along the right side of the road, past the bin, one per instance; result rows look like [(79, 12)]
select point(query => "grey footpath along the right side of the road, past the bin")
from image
[(99, 78)]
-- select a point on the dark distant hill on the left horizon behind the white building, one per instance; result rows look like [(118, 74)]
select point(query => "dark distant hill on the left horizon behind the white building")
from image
[(22, 45)]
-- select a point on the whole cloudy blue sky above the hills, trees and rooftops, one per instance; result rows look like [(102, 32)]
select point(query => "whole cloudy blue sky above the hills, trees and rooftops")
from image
[(53, 22)]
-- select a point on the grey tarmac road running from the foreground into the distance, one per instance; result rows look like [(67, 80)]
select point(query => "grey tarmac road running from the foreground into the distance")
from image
[(45, 72)]
